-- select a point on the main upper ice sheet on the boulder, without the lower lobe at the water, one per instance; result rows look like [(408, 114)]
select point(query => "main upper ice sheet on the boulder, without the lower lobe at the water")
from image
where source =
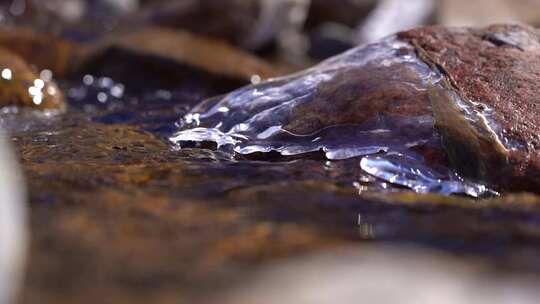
[(371, 89)]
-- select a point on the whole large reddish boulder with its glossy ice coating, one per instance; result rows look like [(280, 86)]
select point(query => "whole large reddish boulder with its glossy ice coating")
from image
[(430, 95)]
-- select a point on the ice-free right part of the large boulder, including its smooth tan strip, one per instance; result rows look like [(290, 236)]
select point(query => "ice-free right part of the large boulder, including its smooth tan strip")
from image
[(494, 71)]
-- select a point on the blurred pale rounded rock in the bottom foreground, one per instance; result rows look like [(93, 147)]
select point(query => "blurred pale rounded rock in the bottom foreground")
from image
[(381, 275)]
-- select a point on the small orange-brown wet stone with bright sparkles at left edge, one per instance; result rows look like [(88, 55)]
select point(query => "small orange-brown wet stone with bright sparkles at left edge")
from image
[(21, 86)]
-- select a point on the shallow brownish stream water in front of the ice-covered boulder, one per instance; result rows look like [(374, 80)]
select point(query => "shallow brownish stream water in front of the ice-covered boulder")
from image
[(177, 225)]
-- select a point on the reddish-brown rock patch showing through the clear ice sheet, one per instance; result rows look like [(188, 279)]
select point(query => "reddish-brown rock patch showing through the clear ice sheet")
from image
[(358, 94)]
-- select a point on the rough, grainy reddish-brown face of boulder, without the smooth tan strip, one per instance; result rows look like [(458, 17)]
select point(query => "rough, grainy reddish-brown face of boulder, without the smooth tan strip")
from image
[(497, 70)]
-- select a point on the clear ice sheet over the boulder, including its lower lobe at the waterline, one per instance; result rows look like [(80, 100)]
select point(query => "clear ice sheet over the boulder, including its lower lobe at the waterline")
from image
[(374, 99)]
